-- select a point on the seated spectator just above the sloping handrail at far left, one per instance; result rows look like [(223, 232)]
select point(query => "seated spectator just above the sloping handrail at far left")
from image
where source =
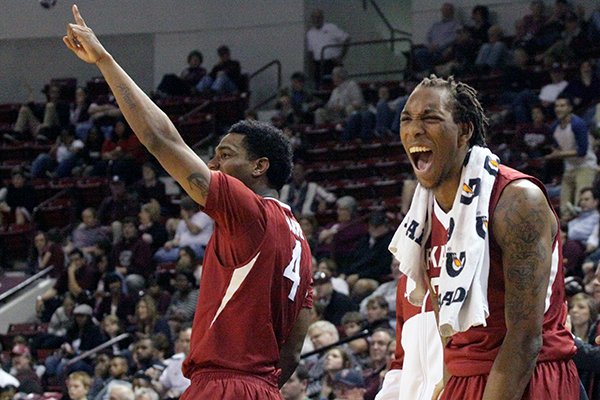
[(48, 253)]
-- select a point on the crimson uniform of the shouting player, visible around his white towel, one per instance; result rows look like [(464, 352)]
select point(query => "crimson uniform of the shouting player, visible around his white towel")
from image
[(469, 355)]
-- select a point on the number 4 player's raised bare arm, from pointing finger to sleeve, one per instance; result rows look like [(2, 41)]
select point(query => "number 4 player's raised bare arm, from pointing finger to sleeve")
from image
[(149, 123)]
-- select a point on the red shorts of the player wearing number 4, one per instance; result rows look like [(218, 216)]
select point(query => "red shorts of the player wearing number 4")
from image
[(229, 386)]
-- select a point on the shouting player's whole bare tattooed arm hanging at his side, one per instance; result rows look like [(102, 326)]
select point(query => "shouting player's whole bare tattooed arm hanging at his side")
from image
[(524, 227)]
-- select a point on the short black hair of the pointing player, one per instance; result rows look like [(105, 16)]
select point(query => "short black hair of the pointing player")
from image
[(264, 140)]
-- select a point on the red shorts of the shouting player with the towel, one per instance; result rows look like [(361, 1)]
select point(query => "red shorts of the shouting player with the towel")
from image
[(556, 380)]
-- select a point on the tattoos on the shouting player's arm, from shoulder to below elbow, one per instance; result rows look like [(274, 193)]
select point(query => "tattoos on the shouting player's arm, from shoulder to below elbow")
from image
[(525, 240)]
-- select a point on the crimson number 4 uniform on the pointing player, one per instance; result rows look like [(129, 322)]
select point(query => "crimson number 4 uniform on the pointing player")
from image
[(256, 278)]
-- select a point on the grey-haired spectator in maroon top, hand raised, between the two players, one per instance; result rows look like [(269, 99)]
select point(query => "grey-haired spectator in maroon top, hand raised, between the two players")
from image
[(337, 240)]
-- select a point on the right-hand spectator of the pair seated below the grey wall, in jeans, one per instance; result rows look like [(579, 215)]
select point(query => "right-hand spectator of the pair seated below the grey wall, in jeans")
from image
[(224, 77)]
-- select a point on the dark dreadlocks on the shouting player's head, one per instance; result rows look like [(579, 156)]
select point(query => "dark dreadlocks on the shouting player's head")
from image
[(467, 108)]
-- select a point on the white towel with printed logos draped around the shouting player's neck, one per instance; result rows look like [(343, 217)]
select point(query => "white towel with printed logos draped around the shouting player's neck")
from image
[(463, 281)]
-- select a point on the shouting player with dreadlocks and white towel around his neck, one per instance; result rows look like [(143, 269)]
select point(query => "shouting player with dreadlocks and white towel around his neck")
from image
[(483, 239)]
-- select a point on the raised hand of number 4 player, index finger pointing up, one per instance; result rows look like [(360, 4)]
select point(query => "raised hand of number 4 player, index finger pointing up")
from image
[(82, 41)]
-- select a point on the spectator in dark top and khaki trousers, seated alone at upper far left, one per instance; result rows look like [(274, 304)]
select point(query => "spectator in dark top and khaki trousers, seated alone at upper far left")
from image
[(33, 117)]
